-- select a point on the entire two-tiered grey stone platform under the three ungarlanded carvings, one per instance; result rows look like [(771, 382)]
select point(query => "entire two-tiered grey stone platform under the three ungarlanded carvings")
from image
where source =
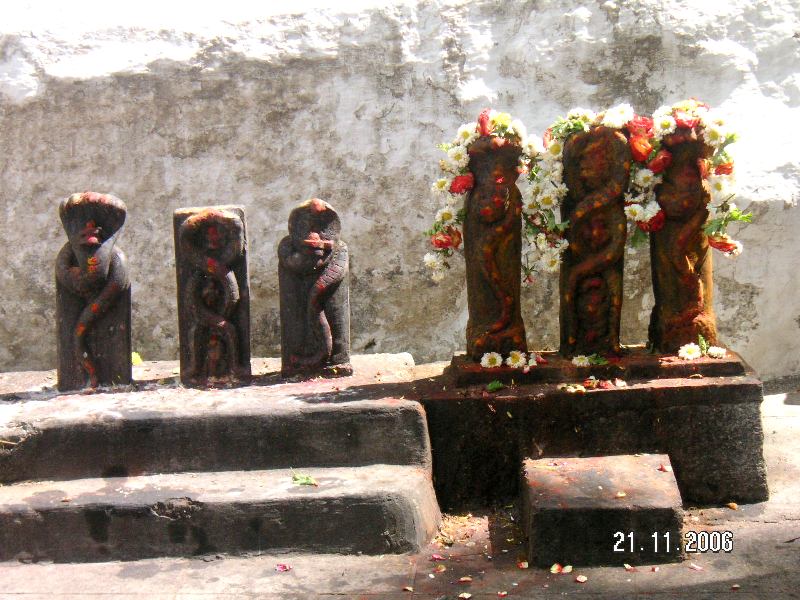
[(156, 469)]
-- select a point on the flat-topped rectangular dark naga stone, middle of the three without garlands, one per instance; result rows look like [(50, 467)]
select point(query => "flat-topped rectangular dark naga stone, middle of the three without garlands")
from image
[(213, 294)]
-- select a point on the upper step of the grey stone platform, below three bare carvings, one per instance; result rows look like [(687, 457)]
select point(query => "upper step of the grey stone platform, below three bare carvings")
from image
[(175, 429)]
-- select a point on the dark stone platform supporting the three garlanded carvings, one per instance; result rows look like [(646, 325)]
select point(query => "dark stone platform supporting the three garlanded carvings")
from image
[(705, 418)]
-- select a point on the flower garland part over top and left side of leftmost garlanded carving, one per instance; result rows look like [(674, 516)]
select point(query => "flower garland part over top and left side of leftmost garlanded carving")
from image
[(456, 181)]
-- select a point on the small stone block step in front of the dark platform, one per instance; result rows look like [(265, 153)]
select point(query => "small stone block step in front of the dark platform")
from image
[(605, 510)]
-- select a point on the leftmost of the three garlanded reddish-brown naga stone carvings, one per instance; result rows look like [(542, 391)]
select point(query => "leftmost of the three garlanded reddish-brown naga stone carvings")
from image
[(492, 249)]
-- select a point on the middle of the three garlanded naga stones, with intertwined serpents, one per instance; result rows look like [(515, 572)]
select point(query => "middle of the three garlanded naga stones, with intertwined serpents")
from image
[(596, 170)]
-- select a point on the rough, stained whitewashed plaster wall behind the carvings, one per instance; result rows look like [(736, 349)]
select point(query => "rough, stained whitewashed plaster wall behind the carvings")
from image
[(268, 110)]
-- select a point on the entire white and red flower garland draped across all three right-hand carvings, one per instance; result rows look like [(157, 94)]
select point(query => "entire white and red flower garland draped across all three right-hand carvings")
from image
[(543, 232)]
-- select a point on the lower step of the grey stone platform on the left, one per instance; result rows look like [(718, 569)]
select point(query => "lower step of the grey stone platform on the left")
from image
[(372, 510)]
